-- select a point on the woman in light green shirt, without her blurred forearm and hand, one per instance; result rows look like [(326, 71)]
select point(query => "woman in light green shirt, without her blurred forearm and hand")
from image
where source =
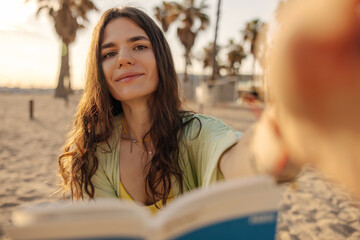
[(131, 138)]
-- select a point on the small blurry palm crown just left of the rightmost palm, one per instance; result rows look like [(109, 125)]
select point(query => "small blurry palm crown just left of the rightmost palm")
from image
[(235, 55)]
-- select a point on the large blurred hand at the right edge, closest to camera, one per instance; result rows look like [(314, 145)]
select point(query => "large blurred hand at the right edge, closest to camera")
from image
[(314, 86)]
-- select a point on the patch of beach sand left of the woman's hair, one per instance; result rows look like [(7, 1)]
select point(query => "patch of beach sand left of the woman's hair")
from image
[(29, 149)]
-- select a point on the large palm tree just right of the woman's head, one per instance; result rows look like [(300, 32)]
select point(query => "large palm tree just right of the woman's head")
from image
[(193, 20)]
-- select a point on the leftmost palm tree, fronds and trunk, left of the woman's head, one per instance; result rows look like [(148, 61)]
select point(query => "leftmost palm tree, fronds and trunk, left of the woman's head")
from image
[(68, 16)]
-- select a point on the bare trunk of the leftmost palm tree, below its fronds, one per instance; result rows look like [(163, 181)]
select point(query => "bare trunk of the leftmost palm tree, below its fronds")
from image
[(61, 91)]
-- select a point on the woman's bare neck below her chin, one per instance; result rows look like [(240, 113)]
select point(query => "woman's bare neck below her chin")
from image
[(136, 119)]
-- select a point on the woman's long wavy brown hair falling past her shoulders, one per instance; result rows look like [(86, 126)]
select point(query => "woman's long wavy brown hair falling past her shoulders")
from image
[(94, 121)]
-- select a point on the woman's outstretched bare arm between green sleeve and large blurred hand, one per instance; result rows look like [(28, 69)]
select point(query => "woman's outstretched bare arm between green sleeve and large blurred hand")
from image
[(260, 151)]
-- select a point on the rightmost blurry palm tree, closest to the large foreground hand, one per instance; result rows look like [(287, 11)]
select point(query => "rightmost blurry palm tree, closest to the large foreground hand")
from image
[(250, 34)]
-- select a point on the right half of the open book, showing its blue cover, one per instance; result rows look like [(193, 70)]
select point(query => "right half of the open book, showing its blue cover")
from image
[(240, 209)]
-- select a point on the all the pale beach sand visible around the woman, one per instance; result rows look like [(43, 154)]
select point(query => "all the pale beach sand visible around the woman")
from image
[(312, 208)]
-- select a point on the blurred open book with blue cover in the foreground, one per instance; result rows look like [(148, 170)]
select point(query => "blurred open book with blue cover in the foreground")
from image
[(239, 209)]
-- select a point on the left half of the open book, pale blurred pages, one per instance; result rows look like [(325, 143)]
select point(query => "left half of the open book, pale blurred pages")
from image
[(103, 219)]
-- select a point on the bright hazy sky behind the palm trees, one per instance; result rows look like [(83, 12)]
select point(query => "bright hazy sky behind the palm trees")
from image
[(29, 46)]
